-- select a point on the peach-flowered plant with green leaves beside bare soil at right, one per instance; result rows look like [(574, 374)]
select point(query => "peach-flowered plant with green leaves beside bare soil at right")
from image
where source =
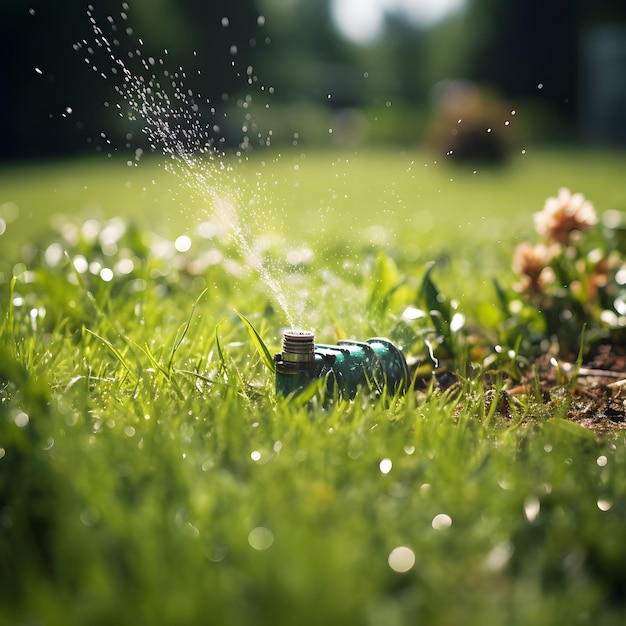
[(575, 275)]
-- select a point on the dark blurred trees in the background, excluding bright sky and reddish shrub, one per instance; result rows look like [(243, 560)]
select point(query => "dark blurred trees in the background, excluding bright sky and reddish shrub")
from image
[(231, 49)]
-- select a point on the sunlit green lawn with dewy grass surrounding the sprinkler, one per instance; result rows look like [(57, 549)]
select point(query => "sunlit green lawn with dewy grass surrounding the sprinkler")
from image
[(148, 472)]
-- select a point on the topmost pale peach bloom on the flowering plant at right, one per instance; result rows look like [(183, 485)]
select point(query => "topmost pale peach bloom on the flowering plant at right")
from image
[(564, 215)]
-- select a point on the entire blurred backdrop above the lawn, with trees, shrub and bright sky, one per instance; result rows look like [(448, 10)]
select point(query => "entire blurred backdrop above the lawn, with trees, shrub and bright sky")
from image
[(372, 72)]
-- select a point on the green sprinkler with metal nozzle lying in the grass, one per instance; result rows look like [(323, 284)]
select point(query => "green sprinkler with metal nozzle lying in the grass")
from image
[(371, 365)]
